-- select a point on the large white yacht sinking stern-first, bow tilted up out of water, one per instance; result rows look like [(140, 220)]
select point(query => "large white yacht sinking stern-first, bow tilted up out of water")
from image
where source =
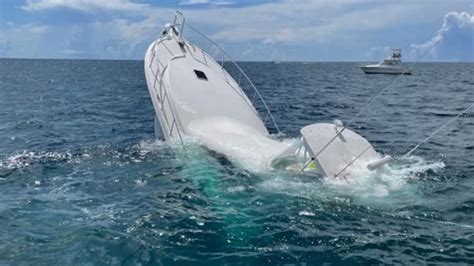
[(194, 96)]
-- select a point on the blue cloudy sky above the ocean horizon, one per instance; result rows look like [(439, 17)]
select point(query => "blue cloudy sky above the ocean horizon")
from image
[(251, 30)]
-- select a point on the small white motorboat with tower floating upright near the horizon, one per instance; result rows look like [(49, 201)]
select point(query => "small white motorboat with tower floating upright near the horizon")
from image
[(391, 65)]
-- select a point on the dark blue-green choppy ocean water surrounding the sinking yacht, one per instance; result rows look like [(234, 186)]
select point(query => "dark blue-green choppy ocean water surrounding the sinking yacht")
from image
[(83, 180)]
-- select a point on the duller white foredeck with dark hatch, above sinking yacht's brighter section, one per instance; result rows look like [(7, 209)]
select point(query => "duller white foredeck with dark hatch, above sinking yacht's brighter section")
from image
[(180, 96)]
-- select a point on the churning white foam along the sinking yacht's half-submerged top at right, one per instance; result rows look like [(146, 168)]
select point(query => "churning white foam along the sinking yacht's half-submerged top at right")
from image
[(389, 184)]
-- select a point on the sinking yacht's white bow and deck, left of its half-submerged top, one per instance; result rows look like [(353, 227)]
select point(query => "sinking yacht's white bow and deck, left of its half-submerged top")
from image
[(211, 108)]
